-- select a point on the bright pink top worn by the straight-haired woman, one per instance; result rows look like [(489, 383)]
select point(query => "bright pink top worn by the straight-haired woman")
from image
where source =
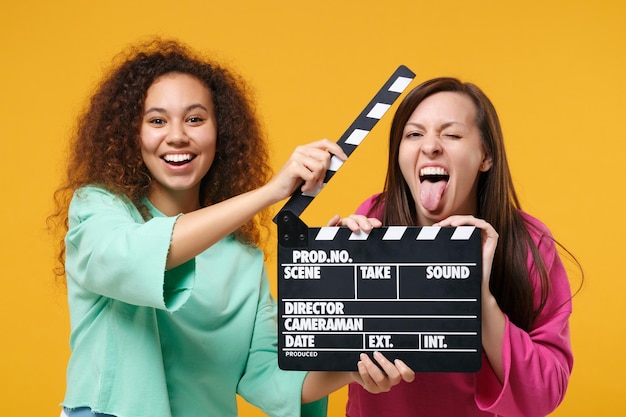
[(537, 364)]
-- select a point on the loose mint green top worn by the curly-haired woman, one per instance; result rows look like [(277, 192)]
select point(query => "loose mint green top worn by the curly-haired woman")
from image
[(153, 343)]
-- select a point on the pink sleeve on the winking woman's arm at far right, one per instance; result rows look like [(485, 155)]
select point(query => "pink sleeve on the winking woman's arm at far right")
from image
[(538, 363)]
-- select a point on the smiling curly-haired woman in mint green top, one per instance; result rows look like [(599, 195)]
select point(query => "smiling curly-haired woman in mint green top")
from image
[(170, 308)]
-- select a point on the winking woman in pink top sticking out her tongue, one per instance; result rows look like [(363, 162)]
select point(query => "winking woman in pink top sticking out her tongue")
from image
[(447, 167)]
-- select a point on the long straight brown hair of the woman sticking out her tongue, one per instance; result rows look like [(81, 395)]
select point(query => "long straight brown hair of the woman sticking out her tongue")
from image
[(498, 203)]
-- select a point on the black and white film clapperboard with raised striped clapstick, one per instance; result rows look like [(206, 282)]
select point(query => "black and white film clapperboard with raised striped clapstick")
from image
[(411, 293)]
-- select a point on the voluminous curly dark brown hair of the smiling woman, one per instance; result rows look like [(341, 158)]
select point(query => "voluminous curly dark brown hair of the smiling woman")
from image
[(105, 146)]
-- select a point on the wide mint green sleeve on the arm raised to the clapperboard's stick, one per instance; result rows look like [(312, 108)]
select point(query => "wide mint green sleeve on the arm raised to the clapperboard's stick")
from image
[(111, 251)]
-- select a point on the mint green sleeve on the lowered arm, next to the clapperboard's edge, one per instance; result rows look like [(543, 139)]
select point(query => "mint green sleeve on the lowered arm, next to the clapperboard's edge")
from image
[(275, 391)]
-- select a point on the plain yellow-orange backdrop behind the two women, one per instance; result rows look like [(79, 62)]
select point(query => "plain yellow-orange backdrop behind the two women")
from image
[(554, 69)]
